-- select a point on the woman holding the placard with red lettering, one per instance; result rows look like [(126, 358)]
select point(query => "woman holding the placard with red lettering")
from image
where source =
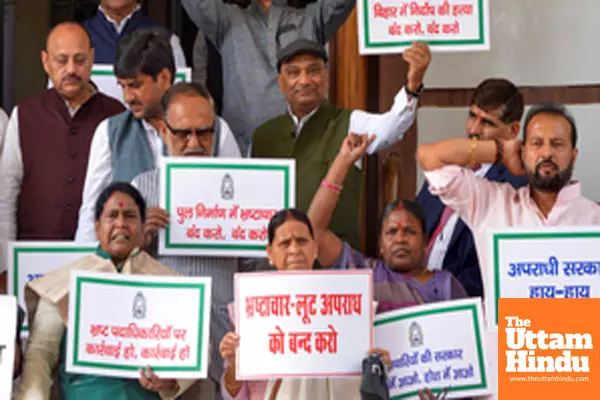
[(291, 247)]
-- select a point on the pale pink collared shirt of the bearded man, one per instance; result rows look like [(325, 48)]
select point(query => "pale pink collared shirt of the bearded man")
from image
[(485, 205)]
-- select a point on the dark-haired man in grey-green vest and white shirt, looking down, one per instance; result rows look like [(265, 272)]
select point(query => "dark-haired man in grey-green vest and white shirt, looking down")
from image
[(129, 143)]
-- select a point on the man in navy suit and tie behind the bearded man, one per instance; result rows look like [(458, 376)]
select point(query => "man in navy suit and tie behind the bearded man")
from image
[(495, 112)]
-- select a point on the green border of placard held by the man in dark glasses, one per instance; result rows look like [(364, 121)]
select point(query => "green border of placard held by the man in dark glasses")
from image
[(169, 170)]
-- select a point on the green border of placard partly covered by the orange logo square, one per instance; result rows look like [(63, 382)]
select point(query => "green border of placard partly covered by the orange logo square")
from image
[(526, 236)]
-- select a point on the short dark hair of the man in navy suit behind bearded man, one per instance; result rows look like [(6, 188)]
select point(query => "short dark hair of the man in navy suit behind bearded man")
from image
[(494, 93)]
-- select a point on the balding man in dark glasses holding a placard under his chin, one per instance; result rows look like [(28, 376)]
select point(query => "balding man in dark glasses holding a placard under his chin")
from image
[(190, 130)]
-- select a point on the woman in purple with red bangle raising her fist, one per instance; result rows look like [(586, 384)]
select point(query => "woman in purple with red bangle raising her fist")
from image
[(401, 279)]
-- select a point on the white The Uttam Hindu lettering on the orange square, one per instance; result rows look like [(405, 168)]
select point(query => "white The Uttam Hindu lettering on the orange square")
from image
[(528, 348)]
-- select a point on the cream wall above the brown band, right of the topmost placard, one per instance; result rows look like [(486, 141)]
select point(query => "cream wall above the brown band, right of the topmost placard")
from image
[(533, 43)]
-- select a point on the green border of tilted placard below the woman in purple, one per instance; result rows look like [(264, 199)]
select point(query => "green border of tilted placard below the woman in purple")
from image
[(446, 310)]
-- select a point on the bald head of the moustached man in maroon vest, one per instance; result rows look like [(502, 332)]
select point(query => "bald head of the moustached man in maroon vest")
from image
[(68, 59)]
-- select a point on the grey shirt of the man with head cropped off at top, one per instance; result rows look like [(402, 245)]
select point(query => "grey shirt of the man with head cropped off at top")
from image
[(248, 40)]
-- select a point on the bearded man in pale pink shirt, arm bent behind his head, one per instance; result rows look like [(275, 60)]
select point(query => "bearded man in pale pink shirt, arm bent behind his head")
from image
[(546, 156)]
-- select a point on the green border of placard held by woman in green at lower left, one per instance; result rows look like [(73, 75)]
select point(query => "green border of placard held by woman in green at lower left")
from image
[(109, 282)]
